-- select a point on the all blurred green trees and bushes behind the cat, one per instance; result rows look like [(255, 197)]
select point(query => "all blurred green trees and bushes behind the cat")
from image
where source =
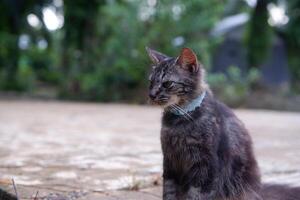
[(99, 54)]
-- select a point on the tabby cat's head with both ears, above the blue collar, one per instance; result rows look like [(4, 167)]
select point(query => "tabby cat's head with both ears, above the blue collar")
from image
[(175, 80)]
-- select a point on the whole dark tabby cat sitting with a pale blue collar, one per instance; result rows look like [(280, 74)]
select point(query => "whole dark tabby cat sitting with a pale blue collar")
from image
[(207, 152)]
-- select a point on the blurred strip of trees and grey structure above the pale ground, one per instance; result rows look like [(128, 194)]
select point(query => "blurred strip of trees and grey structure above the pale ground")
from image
[(95, 50)]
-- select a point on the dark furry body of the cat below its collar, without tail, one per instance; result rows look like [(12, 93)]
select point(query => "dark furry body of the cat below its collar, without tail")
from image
[(210, 157)]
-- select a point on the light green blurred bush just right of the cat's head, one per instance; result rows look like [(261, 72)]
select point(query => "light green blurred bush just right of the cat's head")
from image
[(234, 87)]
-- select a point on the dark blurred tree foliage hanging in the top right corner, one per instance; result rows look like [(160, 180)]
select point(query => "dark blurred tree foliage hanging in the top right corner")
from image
[(259, 36)]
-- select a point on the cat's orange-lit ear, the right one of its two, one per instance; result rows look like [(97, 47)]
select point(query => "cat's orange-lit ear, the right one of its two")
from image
[(188, 60)]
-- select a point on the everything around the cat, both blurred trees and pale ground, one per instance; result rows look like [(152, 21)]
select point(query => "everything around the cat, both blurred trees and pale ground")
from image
[(94, 51)]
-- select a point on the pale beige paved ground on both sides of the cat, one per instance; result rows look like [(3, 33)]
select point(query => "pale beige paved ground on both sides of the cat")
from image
[(91, 151)]
